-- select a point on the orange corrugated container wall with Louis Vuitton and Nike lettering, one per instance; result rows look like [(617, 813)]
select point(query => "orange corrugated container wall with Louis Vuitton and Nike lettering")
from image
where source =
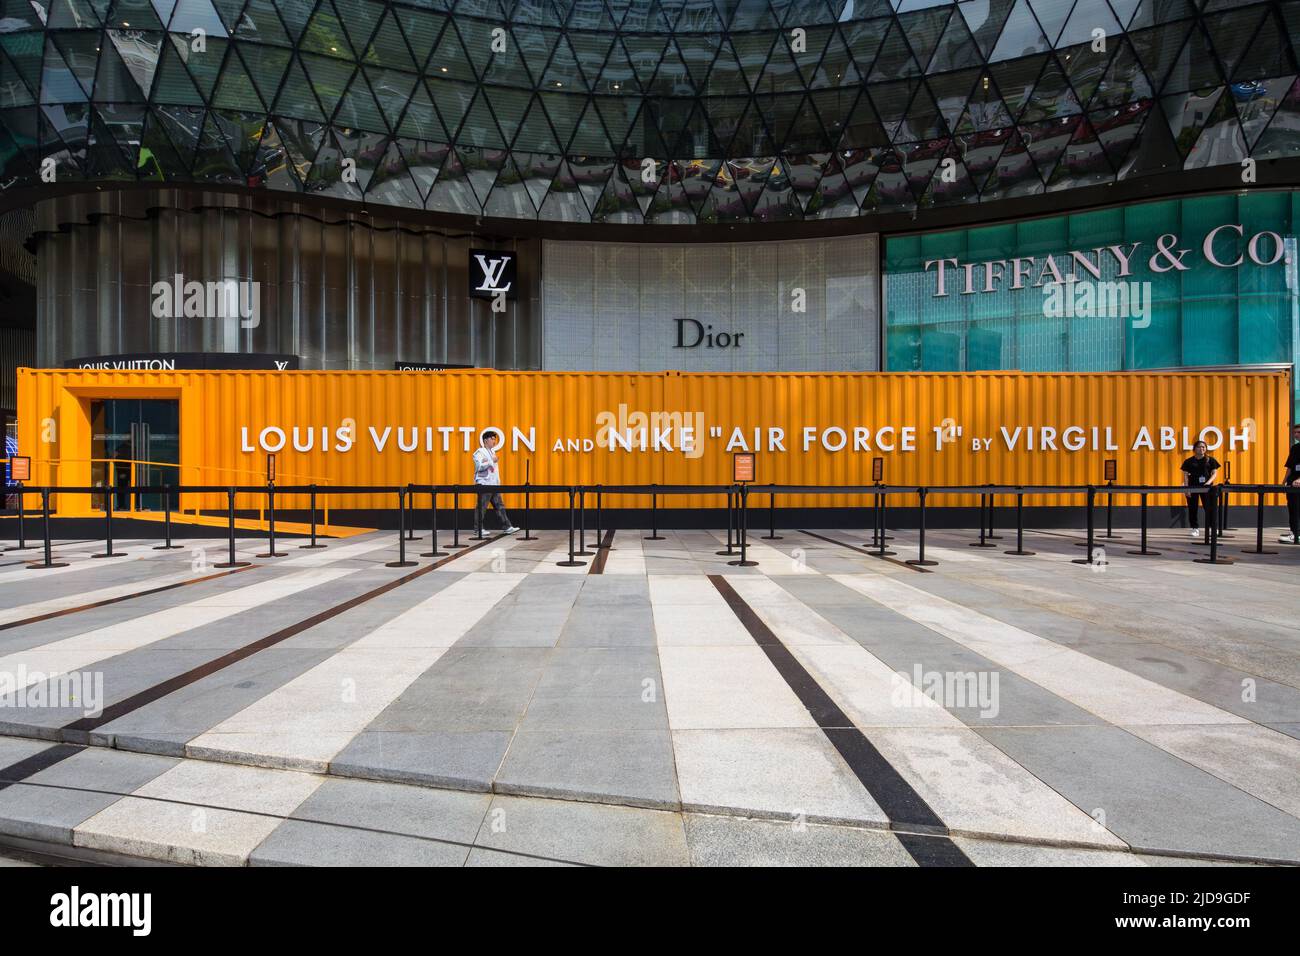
[(564, 406)]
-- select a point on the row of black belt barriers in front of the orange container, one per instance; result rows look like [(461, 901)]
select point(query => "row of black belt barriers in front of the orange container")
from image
[(735, 495)]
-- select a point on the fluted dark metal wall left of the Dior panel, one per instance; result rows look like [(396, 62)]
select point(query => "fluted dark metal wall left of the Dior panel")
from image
[(341, 292)]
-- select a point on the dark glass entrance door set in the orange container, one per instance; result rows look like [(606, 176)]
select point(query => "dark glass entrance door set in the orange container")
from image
[(136, 439)]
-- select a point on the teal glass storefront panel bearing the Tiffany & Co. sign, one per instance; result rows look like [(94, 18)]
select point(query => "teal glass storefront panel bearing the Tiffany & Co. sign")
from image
[(1201, 282)]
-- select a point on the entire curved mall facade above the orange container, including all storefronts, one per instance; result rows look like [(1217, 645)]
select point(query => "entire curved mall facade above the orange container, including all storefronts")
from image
[(700, 185)]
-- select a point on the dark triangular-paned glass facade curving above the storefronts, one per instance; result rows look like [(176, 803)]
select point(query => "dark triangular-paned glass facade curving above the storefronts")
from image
[(644, 111)]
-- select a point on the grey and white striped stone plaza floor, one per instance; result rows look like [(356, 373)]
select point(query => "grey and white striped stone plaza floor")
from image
[(656, 706)]
